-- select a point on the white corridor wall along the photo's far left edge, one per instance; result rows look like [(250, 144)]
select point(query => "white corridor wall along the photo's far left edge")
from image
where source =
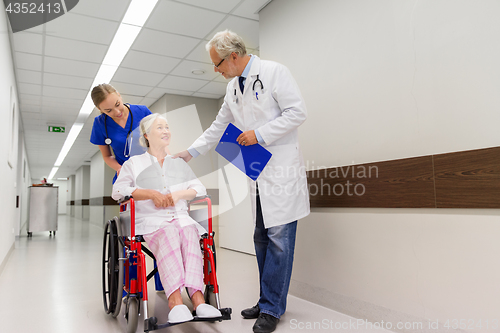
[(9, 129)]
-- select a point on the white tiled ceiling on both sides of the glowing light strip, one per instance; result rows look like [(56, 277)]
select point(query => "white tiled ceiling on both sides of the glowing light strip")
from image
[(55, 64)]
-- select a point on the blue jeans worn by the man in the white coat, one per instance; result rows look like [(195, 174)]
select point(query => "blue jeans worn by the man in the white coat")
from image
[(274, 248)]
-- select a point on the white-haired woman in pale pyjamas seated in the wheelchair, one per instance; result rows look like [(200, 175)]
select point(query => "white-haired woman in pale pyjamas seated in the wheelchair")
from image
[(161, 187)]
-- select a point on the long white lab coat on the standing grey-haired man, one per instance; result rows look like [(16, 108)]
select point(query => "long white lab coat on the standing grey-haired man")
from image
[(276, 114)]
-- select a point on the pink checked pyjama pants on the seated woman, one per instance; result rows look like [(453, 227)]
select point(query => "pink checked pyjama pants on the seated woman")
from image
[(178, 257)]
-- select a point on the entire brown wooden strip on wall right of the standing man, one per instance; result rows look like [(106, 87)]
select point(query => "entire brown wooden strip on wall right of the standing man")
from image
[(467, 179)]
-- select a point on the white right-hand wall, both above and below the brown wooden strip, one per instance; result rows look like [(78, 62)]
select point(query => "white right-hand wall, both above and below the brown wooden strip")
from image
[(386, 80)]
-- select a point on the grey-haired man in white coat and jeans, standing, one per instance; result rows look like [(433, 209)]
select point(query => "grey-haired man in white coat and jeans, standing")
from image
[(264, 101)]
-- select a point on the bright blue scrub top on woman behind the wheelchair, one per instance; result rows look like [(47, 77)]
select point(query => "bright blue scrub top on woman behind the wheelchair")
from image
[(117, 134)]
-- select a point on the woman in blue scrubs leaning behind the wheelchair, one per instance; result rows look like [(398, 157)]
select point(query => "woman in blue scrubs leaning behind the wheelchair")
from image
[(114, 126)]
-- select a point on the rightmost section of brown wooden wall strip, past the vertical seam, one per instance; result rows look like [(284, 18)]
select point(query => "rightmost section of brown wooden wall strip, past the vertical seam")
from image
[(468, 179)]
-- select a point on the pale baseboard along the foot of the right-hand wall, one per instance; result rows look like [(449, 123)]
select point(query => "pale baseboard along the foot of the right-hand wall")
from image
[(366, 311)]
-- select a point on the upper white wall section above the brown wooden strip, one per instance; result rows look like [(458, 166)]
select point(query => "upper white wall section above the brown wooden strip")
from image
[(390, 79)]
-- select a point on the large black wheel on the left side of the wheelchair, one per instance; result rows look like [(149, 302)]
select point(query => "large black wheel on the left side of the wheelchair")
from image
[(112, 269)]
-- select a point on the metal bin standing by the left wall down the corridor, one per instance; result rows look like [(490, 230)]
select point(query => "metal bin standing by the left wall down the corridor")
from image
[(43, 210)]
